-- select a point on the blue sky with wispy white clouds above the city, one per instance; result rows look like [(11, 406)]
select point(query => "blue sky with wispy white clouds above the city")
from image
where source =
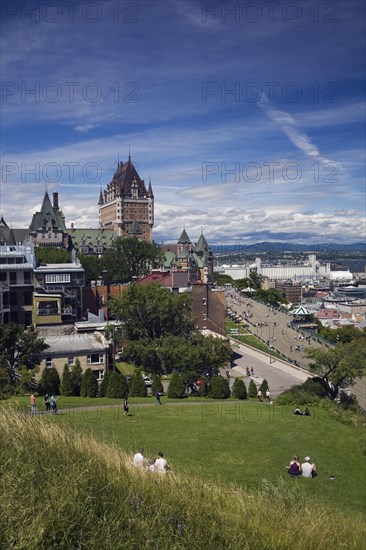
[(248, 116)]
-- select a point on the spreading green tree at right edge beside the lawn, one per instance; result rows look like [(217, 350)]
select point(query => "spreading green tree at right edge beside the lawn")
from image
[(339, 367)]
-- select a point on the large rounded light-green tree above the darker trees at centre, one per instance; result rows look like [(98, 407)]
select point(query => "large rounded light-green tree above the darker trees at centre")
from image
[(150, 312)]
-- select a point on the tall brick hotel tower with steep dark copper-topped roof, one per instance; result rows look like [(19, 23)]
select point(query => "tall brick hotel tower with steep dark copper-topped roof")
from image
[(126, 206)]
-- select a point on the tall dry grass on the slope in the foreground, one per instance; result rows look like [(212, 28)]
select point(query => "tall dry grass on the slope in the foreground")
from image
[(60, 489)]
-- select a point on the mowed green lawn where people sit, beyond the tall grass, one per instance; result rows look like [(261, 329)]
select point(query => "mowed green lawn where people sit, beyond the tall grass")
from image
[(239, 443)]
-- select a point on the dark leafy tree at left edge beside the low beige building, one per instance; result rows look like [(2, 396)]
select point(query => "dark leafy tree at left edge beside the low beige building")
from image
[(19, 348)]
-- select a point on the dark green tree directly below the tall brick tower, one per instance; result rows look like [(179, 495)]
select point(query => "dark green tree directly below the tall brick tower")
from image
[(128, 258)]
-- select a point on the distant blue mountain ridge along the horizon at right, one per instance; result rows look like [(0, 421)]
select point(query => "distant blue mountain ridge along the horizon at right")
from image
[(290, 247)]
